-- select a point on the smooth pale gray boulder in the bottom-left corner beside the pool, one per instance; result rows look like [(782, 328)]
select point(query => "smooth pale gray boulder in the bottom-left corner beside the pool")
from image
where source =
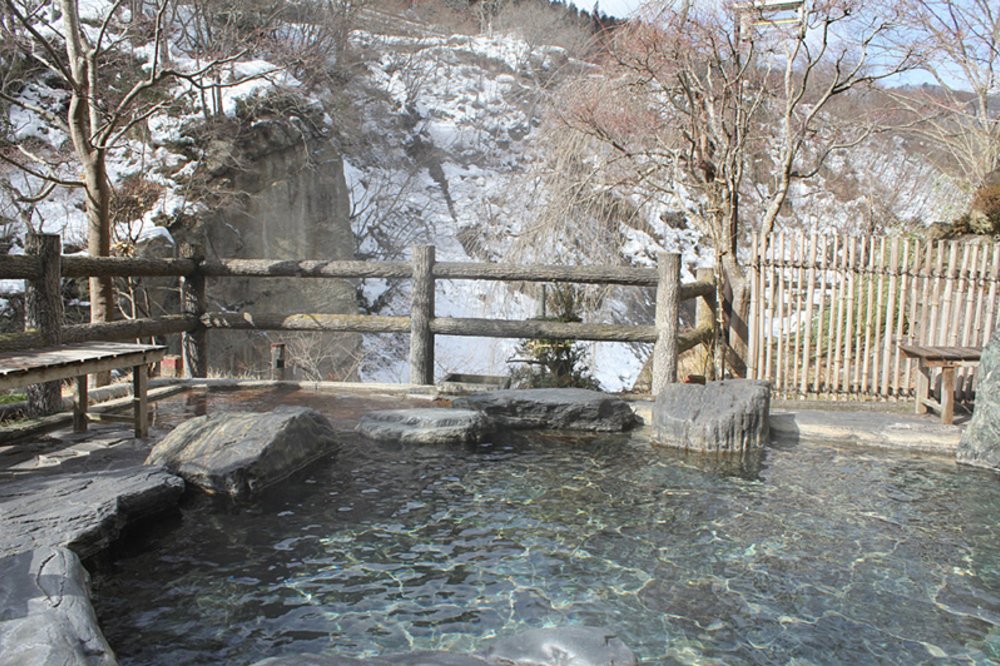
[(45, 612)]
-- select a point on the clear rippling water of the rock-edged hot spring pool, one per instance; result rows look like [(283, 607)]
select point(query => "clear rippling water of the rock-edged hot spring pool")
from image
[(808, 554)]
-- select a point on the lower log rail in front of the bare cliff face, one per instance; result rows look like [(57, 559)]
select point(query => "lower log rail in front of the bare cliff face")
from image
[(342, 323)]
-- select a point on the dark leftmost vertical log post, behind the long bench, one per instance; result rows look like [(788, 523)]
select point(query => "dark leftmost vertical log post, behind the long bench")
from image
[(44, 313)]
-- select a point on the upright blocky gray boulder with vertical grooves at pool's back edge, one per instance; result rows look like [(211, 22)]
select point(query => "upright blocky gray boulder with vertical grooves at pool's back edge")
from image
[(725, 416)]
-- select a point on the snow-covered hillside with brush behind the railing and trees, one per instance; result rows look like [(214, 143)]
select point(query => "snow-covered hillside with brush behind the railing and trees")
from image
[(451, 145)]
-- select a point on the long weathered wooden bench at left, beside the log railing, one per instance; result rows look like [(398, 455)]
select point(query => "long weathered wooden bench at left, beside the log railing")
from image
[(19, 369)]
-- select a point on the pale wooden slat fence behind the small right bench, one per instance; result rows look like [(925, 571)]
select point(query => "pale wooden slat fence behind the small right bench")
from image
[(828, 311)]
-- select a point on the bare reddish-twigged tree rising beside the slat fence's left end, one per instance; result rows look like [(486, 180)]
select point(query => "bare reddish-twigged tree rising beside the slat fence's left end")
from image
[(695, 100)]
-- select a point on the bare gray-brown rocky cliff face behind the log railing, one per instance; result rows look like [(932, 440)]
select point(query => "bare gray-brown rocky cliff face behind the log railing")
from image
[(288, 200)]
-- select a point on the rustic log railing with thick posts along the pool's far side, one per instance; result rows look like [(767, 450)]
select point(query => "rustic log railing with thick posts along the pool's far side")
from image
[(195, 321)]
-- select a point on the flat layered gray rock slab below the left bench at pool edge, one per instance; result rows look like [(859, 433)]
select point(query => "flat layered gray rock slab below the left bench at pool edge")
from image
[(85, 511)]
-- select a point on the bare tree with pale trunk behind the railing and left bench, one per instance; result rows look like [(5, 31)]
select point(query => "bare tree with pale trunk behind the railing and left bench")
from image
[(105, 94)]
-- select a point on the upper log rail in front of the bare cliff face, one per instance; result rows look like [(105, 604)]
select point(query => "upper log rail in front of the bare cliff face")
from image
[(316, 269)]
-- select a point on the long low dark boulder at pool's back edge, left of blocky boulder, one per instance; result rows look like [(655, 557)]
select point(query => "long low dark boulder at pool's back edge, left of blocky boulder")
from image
[(562, 409)]
